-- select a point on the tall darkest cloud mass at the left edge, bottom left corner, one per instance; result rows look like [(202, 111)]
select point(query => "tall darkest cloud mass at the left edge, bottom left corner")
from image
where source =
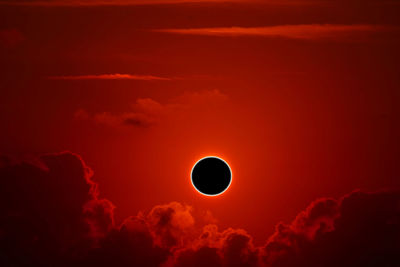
[(41, 202)]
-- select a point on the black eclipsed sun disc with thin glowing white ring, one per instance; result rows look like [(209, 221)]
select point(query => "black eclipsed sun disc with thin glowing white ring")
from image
[(211, 176)]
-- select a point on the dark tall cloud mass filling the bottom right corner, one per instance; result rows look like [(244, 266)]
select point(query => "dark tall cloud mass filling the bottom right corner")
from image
[(361, 229)]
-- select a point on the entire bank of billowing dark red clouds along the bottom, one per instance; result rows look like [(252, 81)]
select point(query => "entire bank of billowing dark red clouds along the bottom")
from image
[(52, 215)]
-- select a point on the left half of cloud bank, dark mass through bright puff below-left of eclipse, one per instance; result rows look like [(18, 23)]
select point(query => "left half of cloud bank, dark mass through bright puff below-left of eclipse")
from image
[(51, 215)]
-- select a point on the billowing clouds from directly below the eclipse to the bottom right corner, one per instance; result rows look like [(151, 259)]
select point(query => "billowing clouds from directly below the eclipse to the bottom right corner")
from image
[(359, 229)]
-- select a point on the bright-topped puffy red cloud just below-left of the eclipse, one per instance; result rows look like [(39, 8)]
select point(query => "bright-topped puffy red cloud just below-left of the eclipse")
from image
[(145, 239)]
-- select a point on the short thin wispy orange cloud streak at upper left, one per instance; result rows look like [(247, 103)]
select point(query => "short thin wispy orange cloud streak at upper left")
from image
[(115, 76)]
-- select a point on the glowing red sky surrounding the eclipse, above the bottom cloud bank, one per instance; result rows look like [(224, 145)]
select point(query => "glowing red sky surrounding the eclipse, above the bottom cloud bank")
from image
[(301, 98)]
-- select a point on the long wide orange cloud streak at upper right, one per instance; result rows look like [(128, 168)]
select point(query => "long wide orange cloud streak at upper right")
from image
[(302, 32)]
